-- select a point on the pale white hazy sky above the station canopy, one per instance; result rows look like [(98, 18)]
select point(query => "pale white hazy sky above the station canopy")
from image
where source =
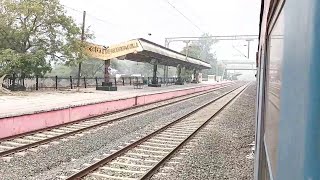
[(115, 21)]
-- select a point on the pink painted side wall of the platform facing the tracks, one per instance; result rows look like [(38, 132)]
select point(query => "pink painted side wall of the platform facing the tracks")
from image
[(16, 125)]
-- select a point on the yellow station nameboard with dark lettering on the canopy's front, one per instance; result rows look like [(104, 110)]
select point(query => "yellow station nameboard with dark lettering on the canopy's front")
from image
[(118, 50)]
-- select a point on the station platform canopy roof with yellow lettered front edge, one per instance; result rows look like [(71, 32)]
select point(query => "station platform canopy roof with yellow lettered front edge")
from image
[(141, 50)]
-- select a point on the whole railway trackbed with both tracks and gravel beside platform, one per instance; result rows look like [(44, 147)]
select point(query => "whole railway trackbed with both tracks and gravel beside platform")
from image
[(173, 139)]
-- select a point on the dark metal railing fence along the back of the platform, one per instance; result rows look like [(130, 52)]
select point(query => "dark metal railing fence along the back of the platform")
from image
[(17, 83)]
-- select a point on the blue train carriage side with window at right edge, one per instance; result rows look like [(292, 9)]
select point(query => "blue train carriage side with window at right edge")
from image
[(288, 103)]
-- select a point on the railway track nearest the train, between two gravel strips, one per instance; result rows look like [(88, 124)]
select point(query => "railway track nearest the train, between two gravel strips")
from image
[(142, 158)]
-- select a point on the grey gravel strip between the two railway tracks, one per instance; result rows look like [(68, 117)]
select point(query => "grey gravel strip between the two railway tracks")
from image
[(58, 159)]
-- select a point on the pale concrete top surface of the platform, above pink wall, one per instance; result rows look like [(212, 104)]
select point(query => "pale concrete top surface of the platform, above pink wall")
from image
[(35, 102)]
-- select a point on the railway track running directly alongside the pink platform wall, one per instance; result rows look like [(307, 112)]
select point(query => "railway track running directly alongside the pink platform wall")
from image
[(31, 140)]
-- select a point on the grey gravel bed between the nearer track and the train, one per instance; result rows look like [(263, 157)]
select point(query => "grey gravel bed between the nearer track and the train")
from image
[(221, 148)]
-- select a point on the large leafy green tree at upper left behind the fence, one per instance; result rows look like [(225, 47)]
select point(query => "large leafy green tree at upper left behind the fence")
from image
[(34, 34)]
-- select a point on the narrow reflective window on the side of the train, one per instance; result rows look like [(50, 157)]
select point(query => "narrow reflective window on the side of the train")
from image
[(275, 56)]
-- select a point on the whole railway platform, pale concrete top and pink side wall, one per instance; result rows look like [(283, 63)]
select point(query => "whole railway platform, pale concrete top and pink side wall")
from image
[(38, 110)]
